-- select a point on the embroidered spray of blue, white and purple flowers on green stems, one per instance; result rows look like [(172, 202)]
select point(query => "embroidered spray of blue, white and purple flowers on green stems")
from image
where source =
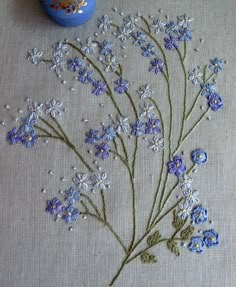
[(147, 126)]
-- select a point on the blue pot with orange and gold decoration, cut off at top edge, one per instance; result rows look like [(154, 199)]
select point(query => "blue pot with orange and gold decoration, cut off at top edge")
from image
[(69, 13)]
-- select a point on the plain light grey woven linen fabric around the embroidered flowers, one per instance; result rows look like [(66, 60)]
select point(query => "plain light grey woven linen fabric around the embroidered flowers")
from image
[(36, 251)]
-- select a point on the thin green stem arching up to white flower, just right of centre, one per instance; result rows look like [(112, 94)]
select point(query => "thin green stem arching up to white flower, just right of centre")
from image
[(162, 166)]
